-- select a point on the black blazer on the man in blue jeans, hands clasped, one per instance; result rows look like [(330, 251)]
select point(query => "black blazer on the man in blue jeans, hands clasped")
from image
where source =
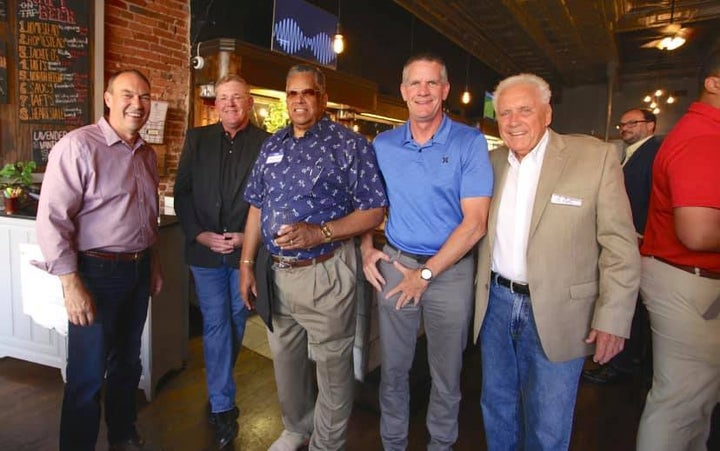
[(198, 200)]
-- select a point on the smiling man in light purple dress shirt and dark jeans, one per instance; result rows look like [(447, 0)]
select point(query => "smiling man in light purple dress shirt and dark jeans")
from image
[(96, 227)]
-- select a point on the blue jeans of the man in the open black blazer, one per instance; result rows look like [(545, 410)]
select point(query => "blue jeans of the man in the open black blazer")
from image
[(224, 317)]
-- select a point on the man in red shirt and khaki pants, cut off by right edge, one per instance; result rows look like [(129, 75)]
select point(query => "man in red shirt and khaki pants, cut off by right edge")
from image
[(681, 276)]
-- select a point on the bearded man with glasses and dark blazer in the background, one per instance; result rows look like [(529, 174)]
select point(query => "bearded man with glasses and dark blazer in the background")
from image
[(637, 128)]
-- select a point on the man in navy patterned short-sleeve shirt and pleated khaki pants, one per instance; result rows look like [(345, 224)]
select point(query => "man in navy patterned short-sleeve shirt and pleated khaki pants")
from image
[(314, 186)]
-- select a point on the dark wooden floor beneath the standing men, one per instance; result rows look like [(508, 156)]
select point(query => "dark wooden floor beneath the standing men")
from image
[(30, 395)]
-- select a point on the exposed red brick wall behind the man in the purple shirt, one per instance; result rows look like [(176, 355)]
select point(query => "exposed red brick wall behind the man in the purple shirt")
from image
[(151, 36)]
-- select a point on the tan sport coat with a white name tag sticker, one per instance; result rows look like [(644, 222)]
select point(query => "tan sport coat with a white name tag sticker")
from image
[(582, 254)]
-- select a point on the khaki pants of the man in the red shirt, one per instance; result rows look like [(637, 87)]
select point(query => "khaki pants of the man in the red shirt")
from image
[(686, 358)]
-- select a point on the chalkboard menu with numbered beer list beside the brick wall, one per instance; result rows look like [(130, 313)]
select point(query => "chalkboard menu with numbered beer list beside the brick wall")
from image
[(53, 62)]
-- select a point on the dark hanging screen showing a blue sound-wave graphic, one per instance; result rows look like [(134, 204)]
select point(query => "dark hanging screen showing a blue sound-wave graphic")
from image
[(305, 31)]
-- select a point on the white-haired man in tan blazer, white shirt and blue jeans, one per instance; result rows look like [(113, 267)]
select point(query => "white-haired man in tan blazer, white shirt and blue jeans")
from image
[(558, 270)]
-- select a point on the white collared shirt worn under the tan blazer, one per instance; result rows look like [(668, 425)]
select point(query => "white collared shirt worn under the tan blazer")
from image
[(509, 254)]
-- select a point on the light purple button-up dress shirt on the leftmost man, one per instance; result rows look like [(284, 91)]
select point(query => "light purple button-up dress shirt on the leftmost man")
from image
[(97, 193)]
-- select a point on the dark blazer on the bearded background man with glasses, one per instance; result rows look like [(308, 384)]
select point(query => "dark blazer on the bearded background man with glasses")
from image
[(638, 180)]
